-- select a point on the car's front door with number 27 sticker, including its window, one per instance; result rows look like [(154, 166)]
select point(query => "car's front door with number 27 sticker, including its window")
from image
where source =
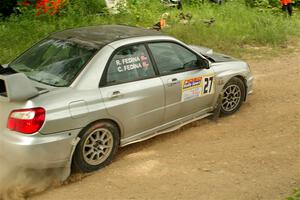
[(188, 88)]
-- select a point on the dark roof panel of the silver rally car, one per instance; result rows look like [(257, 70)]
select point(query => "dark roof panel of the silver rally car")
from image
[(99, 36)]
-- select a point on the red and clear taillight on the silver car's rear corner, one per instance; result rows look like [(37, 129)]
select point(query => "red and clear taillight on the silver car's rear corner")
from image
[(26, 121)]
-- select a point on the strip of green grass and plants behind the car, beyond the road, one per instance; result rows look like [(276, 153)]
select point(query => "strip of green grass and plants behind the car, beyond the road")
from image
[(235, 26)]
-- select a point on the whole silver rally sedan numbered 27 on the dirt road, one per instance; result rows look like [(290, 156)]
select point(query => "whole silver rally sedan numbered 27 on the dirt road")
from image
[(75, 97)]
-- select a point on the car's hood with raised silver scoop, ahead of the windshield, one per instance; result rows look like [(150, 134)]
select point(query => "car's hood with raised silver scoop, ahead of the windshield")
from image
[(211, 55)]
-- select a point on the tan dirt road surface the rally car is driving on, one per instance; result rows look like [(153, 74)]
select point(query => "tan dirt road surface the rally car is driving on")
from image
[(253, 154)]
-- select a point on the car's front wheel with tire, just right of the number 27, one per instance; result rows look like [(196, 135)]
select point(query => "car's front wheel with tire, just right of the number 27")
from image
[(233, 96)]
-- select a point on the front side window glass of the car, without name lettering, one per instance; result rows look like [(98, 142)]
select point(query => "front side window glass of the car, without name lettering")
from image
[(172, 58)]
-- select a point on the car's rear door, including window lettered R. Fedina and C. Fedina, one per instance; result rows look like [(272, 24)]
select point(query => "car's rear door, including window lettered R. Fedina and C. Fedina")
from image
[(133, 94)]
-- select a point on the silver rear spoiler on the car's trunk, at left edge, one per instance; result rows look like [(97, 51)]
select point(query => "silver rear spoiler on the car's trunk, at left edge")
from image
[(16, 87)]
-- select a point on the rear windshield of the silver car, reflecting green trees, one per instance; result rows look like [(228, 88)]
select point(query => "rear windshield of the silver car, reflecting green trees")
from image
[(53, 62)]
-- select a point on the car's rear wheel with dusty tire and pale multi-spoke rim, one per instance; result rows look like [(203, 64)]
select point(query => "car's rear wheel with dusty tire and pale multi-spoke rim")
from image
[(98, 144)]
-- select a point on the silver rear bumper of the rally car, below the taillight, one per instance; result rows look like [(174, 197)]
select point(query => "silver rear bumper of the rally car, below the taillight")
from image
[(37, 151)]
